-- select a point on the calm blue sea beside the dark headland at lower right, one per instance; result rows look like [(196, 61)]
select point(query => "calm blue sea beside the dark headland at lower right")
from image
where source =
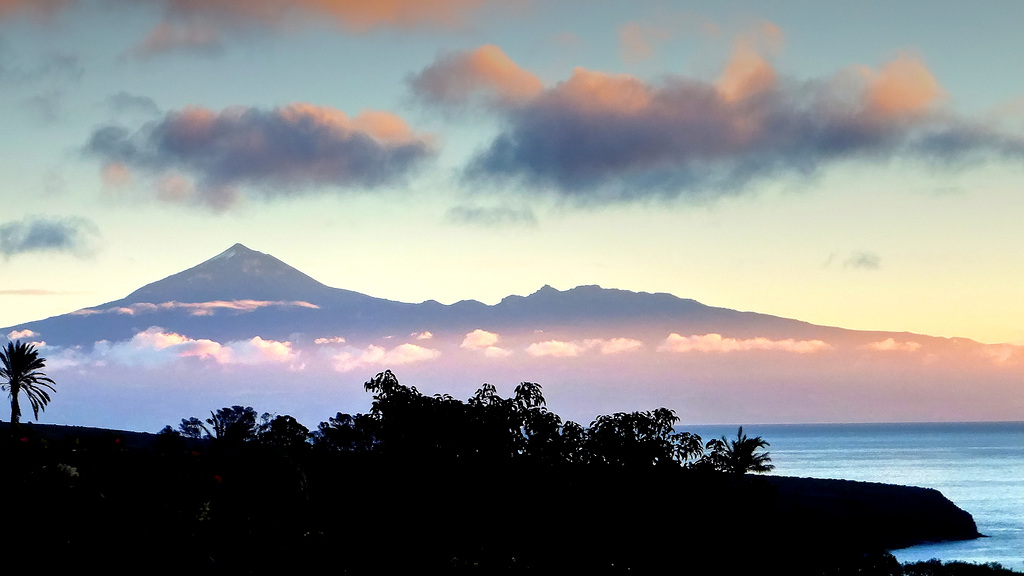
[(979, 467)]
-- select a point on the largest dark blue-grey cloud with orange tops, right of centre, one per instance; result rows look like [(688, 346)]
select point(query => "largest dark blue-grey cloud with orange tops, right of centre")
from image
[(600, 138)]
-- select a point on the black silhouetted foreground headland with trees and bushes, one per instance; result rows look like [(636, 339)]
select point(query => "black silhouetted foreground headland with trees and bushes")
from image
[(432, 484)]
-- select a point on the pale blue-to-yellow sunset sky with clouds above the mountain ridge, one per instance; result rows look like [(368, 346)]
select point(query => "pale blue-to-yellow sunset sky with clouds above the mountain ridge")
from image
[(859, 166)]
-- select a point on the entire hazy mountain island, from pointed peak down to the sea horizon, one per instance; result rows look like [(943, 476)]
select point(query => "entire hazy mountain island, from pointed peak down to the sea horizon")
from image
[(246, 328)]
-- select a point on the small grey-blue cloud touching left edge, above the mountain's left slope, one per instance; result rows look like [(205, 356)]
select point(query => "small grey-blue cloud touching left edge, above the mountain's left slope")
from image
[(40, 234)]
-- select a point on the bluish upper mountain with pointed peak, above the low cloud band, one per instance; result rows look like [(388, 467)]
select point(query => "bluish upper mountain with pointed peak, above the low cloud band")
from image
[(242, 293)]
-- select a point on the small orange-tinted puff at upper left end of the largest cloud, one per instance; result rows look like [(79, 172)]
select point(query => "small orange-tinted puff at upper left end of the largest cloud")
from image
[(456, 78)]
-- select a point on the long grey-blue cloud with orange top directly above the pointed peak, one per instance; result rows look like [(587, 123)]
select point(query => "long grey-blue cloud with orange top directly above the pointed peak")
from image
[(204, 157)]
